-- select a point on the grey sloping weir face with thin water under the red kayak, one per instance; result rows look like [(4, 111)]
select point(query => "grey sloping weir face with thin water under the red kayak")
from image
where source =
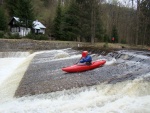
[(44, 73)]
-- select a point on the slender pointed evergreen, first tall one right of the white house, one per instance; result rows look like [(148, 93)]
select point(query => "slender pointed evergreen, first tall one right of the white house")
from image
[(57, 23)]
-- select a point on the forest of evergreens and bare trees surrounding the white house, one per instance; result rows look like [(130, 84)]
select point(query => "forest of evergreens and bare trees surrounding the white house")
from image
[(83, 20)]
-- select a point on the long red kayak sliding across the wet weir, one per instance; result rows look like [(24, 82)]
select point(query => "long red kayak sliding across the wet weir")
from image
[(80, 68)]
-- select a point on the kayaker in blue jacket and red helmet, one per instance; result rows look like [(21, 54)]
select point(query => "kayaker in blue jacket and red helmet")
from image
[(86, 59)]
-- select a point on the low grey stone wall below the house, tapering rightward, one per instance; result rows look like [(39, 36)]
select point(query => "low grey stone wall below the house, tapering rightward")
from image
[(35, 45)]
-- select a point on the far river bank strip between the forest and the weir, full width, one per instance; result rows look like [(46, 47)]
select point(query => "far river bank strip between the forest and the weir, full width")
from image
[(35, 45)]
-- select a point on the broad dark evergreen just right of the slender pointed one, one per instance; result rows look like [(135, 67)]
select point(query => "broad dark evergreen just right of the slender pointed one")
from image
[(71, 22)]
